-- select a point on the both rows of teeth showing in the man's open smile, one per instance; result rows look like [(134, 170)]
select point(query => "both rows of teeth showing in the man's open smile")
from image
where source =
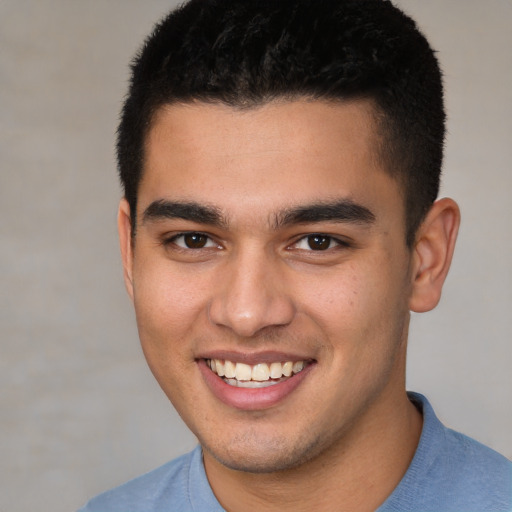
[(254, 376)]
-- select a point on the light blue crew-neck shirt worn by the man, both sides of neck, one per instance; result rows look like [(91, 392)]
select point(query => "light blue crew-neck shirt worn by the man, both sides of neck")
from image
[(449, 473)]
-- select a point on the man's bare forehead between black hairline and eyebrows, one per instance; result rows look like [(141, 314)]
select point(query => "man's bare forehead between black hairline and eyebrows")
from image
[(273, 155)]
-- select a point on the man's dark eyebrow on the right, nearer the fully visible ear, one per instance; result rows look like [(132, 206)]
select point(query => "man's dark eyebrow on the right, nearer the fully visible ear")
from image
[(344, 210)]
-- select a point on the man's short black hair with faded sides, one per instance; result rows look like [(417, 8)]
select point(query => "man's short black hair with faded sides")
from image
[(245, 53)]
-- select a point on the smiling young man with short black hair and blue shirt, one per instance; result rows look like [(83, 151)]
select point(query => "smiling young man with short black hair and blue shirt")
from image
[(280, 163)]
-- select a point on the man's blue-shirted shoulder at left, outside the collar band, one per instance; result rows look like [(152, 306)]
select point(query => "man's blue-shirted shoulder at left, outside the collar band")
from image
[(165, 487)]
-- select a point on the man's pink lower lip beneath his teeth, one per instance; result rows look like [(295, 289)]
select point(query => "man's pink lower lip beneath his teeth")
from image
[(251, 399)]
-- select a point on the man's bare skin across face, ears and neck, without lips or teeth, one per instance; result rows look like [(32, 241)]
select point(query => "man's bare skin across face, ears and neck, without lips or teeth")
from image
[(257, 286)]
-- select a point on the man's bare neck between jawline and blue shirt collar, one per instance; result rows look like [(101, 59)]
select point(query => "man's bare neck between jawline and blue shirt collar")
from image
[(357, 473)]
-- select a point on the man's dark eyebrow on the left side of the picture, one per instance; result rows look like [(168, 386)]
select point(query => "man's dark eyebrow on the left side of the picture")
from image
[(202, 214)]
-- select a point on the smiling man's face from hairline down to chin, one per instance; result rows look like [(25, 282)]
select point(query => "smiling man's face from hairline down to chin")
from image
[(270, 277)]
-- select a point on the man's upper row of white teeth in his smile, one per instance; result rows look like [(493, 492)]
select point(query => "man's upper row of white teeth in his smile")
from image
[(258, 372)]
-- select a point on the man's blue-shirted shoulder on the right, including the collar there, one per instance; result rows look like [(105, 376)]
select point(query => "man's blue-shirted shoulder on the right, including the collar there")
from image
[(452, 472)]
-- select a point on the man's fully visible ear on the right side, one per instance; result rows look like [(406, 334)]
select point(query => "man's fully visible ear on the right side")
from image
[(432, 254)]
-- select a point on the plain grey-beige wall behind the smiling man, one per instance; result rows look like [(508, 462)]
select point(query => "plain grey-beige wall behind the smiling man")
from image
[(79, 410)]
